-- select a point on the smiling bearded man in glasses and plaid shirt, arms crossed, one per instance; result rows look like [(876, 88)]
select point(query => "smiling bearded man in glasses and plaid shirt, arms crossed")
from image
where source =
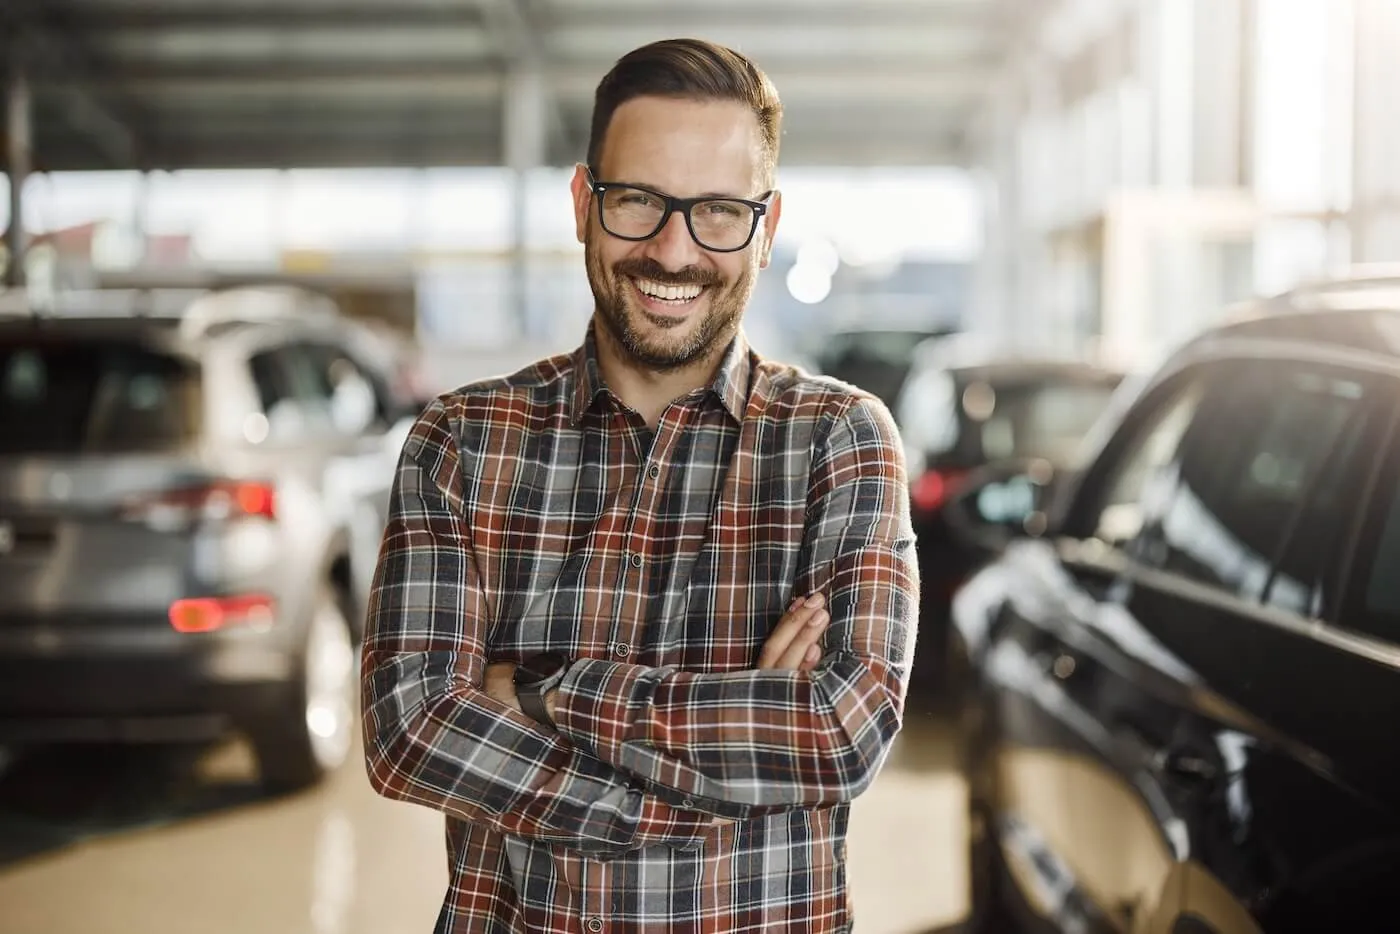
[(590, 642)]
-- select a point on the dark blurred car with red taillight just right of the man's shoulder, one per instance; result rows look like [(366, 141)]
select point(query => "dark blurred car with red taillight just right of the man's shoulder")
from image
[(965, 408)]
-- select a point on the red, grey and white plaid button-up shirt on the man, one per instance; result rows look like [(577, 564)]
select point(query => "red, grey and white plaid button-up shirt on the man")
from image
[(537, 513)]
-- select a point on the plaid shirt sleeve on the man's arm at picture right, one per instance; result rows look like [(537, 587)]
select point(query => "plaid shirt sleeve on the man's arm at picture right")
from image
[(785, 739)]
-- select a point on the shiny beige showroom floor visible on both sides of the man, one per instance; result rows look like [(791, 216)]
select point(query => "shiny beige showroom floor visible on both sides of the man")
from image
[(122, 842)]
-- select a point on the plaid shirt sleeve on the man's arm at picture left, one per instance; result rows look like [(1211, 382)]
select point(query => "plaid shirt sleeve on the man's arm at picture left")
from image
[(432, 736)]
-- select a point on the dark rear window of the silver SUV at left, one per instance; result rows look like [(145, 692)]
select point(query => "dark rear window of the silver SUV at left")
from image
[(76, 397)]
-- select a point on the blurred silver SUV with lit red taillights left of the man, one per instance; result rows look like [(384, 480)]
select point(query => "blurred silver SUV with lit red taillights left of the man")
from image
[(191, 508)]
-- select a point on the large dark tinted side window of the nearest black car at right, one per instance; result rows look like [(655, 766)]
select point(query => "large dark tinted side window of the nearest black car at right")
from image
[(1259, 485)]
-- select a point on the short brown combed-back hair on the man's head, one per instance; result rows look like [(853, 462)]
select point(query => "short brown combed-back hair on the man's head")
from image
[(691, 69)]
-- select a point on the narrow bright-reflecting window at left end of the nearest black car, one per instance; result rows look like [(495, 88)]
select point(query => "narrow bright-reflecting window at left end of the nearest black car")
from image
[(1144, 470)]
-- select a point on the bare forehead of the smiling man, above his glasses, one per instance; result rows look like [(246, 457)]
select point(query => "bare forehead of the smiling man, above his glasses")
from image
[(684, 148)]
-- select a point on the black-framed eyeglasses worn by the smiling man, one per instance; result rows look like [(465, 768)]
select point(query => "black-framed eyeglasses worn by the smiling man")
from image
[(719, 225)]
